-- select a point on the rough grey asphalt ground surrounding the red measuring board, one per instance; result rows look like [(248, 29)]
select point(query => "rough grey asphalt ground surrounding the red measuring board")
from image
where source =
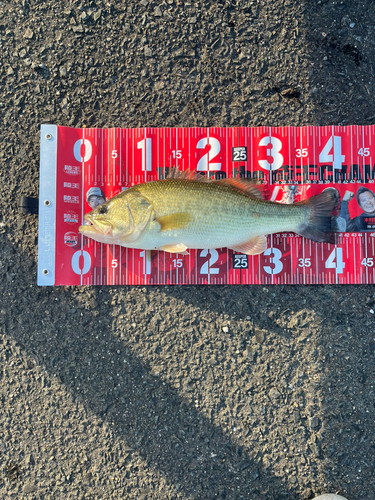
[(140, 392)]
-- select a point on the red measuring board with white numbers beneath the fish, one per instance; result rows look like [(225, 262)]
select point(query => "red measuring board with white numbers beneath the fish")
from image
[(293, 163)]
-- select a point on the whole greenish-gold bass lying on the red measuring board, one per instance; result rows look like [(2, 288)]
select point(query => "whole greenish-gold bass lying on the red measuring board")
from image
[(188, 211)]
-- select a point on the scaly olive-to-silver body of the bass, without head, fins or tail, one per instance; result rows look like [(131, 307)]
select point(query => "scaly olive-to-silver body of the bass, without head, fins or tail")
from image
[(220, 214)]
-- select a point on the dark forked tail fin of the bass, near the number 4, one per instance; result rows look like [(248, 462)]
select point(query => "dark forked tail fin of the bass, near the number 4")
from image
[(320, 223)]
